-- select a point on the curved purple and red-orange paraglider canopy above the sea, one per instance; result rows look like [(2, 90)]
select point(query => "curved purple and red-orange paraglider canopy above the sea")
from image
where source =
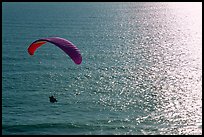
[(69, 48)]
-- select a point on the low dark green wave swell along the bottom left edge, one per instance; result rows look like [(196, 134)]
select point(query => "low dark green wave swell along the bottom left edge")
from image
[(51, 128)]
